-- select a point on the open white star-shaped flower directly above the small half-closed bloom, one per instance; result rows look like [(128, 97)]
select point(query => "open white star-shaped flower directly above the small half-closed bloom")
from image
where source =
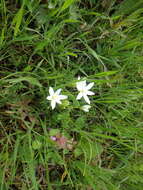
[(83, 89)]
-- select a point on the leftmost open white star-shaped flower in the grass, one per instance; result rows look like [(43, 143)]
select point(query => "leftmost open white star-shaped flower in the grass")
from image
[(55, 97)]
